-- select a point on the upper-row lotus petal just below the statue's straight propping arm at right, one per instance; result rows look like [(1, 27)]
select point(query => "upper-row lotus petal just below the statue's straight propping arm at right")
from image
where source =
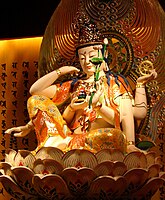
[(135, 160)]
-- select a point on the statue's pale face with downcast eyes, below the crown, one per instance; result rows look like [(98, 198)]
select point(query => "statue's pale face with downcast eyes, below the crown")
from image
[(85, 56)]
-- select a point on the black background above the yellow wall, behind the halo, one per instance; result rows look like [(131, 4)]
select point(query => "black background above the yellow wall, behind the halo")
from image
[(28, 18)]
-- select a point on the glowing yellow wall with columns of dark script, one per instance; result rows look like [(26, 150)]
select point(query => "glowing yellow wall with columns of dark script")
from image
[(18, 71)]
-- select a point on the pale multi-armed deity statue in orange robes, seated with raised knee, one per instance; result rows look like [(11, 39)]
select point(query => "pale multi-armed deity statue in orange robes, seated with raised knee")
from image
[(100, 109)]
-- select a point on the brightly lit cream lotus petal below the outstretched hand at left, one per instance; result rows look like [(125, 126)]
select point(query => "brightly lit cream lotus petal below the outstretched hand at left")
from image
[(24, 158)]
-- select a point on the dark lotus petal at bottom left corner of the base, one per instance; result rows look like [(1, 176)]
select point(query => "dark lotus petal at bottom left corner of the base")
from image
[(13, 189)]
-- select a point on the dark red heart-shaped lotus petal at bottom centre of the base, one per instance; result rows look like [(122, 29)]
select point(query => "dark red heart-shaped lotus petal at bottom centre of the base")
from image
[(78, 180)]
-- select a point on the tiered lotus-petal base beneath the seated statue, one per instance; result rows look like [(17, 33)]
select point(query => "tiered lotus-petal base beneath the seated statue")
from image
[(81, 174)]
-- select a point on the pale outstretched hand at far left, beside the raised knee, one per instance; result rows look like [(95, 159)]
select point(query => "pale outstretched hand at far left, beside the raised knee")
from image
[(20, 131)]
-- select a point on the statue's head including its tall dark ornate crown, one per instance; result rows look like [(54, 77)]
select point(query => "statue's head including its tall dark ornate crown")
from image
[(89, 45)]
